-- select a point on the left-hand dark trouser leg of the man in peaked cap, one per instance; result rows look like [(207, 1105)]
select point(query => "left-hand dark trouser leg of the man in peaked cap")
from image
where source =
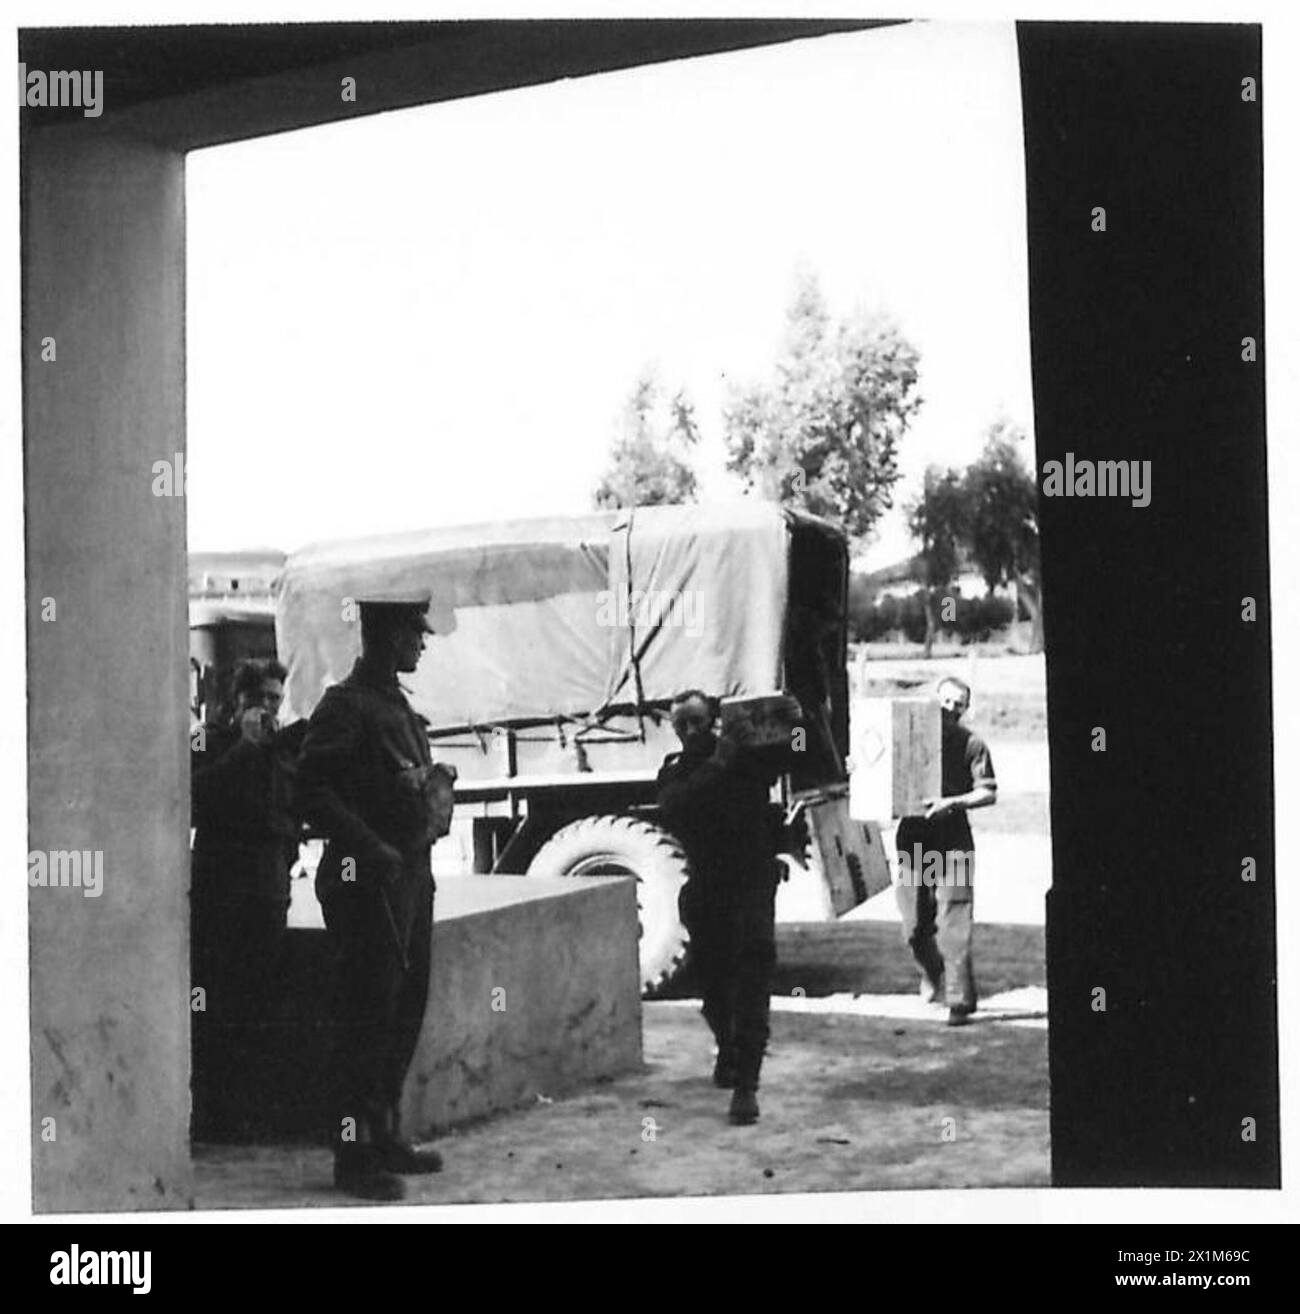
[(369, 985)]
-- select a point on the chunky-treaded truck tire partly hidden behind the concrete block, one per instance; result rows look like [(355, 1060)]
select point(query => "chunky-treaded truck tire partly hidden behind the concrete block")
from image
[(625, 847)]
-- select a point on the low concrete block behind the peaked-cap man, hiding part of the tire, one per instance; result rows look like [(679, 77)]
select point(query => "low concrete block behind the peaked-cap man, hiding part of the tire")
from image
[(536, 991)]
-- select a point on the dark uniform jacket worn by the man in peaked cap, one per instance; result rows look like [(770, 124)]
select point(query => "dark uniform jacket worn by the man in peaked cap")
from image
[(354, 776)]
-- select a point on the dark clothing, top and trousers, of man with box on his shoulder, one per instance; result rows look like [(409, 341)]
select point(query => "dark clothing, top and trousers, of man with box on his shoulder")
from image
[(718, 805)]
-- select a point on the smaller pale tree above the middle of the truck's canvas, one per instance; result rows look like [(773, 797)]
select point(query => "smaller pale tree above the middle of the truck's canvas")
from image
[(647, 462)]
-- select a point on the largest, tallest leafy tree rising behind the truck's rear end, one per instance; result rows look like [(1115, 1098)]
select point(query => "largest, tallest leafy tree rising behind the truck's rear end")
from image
[(824, 434)]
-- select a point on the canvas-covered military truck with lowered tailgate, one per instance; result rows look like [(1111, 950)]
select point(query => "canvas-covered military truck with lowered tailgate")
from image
[(561, 646)]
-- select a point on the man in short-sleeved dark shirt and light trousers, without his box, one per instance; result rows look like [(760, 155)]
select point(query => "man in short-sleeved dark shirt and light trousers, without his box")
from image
[(937, 856)]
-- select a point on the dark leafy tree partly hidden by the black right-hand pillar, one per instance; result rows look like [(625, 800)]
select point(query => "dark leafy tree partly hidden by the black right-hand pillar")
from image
[(1004, 532)]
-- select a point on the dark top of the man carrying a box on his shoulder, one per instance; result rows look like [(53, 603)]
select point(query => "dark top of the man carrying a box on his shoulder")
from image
[(722, 814)]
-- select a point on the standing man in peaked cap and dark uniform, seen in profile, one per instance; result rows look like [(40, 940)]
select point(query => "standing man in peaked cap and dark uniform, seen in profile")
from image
[(367, 781)]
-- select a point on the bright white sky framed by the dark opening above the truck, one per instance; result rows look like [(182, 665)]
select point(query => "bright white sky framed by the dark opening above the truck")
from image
[(434, 316)]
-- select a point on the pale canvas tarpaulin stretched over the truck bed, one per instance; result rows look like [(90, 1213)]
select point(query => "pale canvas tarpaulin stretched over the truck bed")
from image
[(542, 620)]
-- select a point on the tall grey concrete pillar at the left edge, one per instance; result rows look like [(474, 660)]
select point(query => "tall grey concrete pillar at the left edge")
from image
[(104, 277)]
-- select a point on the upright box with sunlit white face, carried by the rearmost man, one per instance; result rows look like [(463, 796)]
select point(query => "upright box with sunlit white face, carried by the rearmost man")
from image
[(896, 752)]
